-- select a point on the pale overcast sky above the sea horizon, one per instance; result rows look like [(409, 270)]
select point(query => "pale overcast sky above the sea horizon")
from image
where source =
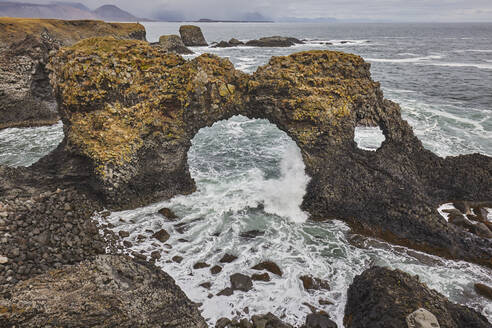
[(388, 10)]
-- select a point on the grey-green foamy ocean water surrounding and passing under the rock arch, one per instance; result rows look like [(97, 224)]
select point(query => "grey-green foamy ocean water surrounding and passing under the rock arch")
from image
[(250, 175)]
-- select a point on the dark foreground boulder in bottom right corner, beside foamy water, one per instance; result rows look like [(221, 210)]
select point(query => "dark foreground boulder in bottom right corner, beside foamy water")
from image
[(383, 298)]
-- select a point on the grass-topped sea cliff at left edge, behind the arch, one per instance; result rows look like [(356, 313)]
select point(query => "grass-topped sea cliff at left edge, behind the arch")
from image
[(26, 97)]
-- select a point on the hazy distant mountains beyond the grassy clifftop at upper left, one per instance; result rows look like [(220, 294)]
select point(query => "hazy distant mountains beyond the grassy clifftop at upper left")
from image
[(65, 10)]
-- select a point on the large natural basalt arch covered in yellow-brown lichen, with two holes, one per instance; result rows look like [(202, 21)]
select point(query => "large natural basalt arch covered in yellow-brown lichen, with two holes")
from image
[(130, 112)]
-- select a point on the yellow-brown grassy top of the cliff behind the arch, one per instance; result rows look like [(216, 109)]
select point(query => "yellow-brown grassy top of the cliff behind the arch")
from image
[(66, 32)]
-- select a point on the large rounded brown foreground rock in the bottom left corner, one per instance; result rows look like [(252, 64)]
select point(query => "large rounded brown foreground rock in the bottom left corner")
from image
[(108, 291)]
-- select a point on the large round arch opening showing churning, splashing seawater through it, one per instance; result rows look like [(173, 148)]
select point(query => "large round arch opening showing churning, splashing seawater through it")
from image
[(250, 163)]
